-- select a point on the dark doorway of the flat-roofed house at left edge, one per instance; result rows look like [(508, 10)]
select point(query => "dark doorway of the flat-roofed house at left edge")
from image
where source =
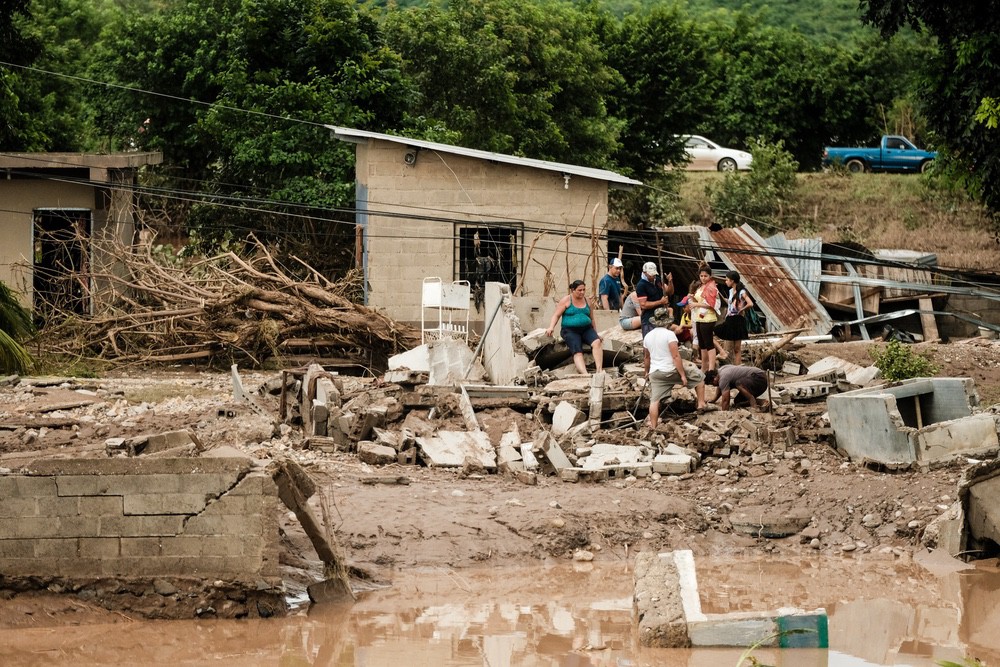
[(62, 262)]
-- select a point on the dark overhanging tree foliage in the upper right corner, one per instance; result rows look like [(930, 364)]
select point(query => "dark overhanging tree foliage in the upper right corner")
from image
[(959, 78)]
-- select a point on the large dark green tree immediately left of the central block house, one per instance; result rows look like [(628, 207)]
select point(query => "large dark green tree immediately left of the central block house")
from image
[(243, 89)]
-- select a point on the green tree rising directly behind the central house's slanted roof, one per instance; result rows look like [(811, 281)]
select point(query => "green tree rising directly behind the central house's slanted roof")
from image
[(510, 76)]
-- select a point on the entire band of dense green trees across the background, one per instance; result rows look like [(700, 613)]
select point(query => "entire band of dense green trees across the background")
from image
[(235, 93)]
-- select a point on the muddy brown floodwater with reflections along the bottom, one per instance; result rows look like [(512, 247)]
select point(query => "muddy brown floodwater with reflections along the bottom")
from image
[(881, 612)]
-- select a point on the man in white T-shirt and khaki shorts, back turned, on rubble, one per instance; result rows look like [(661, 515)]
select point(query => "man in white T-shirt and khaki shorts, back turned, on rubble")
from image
[(664, 367)]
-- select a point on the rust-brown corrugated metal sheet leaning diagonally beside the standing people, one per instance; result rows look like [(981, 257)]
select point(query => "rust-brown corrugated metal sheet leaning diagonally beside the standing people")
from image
[(775, 288)]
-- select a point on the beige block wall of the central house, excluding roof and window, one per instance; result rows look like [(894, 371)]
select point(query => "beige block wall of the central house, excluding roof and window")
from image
[(457, 190)]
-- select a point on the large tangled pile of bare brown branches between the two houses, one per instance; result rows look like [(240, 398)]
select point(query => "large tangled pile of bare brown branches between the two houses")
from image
[(230, 308)]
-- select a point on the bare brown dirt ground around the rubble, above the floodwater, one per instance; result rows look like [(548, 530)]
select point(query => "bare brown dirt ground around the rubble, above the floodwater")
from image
[(460, 518)]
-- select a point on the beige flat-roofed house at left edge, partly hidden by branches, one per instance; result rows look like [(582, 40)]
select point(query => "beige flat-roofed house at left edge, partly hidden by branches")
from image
[(59, 214)]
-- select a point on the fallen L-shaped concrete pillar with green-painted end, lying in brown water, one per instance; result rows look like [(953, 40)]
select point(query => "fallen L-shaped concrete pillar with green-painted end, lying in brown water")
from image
[(669, 612)]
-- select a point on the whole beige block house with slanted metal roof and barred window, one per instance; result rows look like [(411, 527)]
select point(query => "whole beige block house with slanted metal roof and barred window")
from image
[(434, 210)]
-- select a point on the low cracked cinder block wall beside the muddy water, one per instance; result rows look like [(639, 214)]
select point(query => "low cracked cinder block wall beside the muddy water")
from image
[(210, 518)]
